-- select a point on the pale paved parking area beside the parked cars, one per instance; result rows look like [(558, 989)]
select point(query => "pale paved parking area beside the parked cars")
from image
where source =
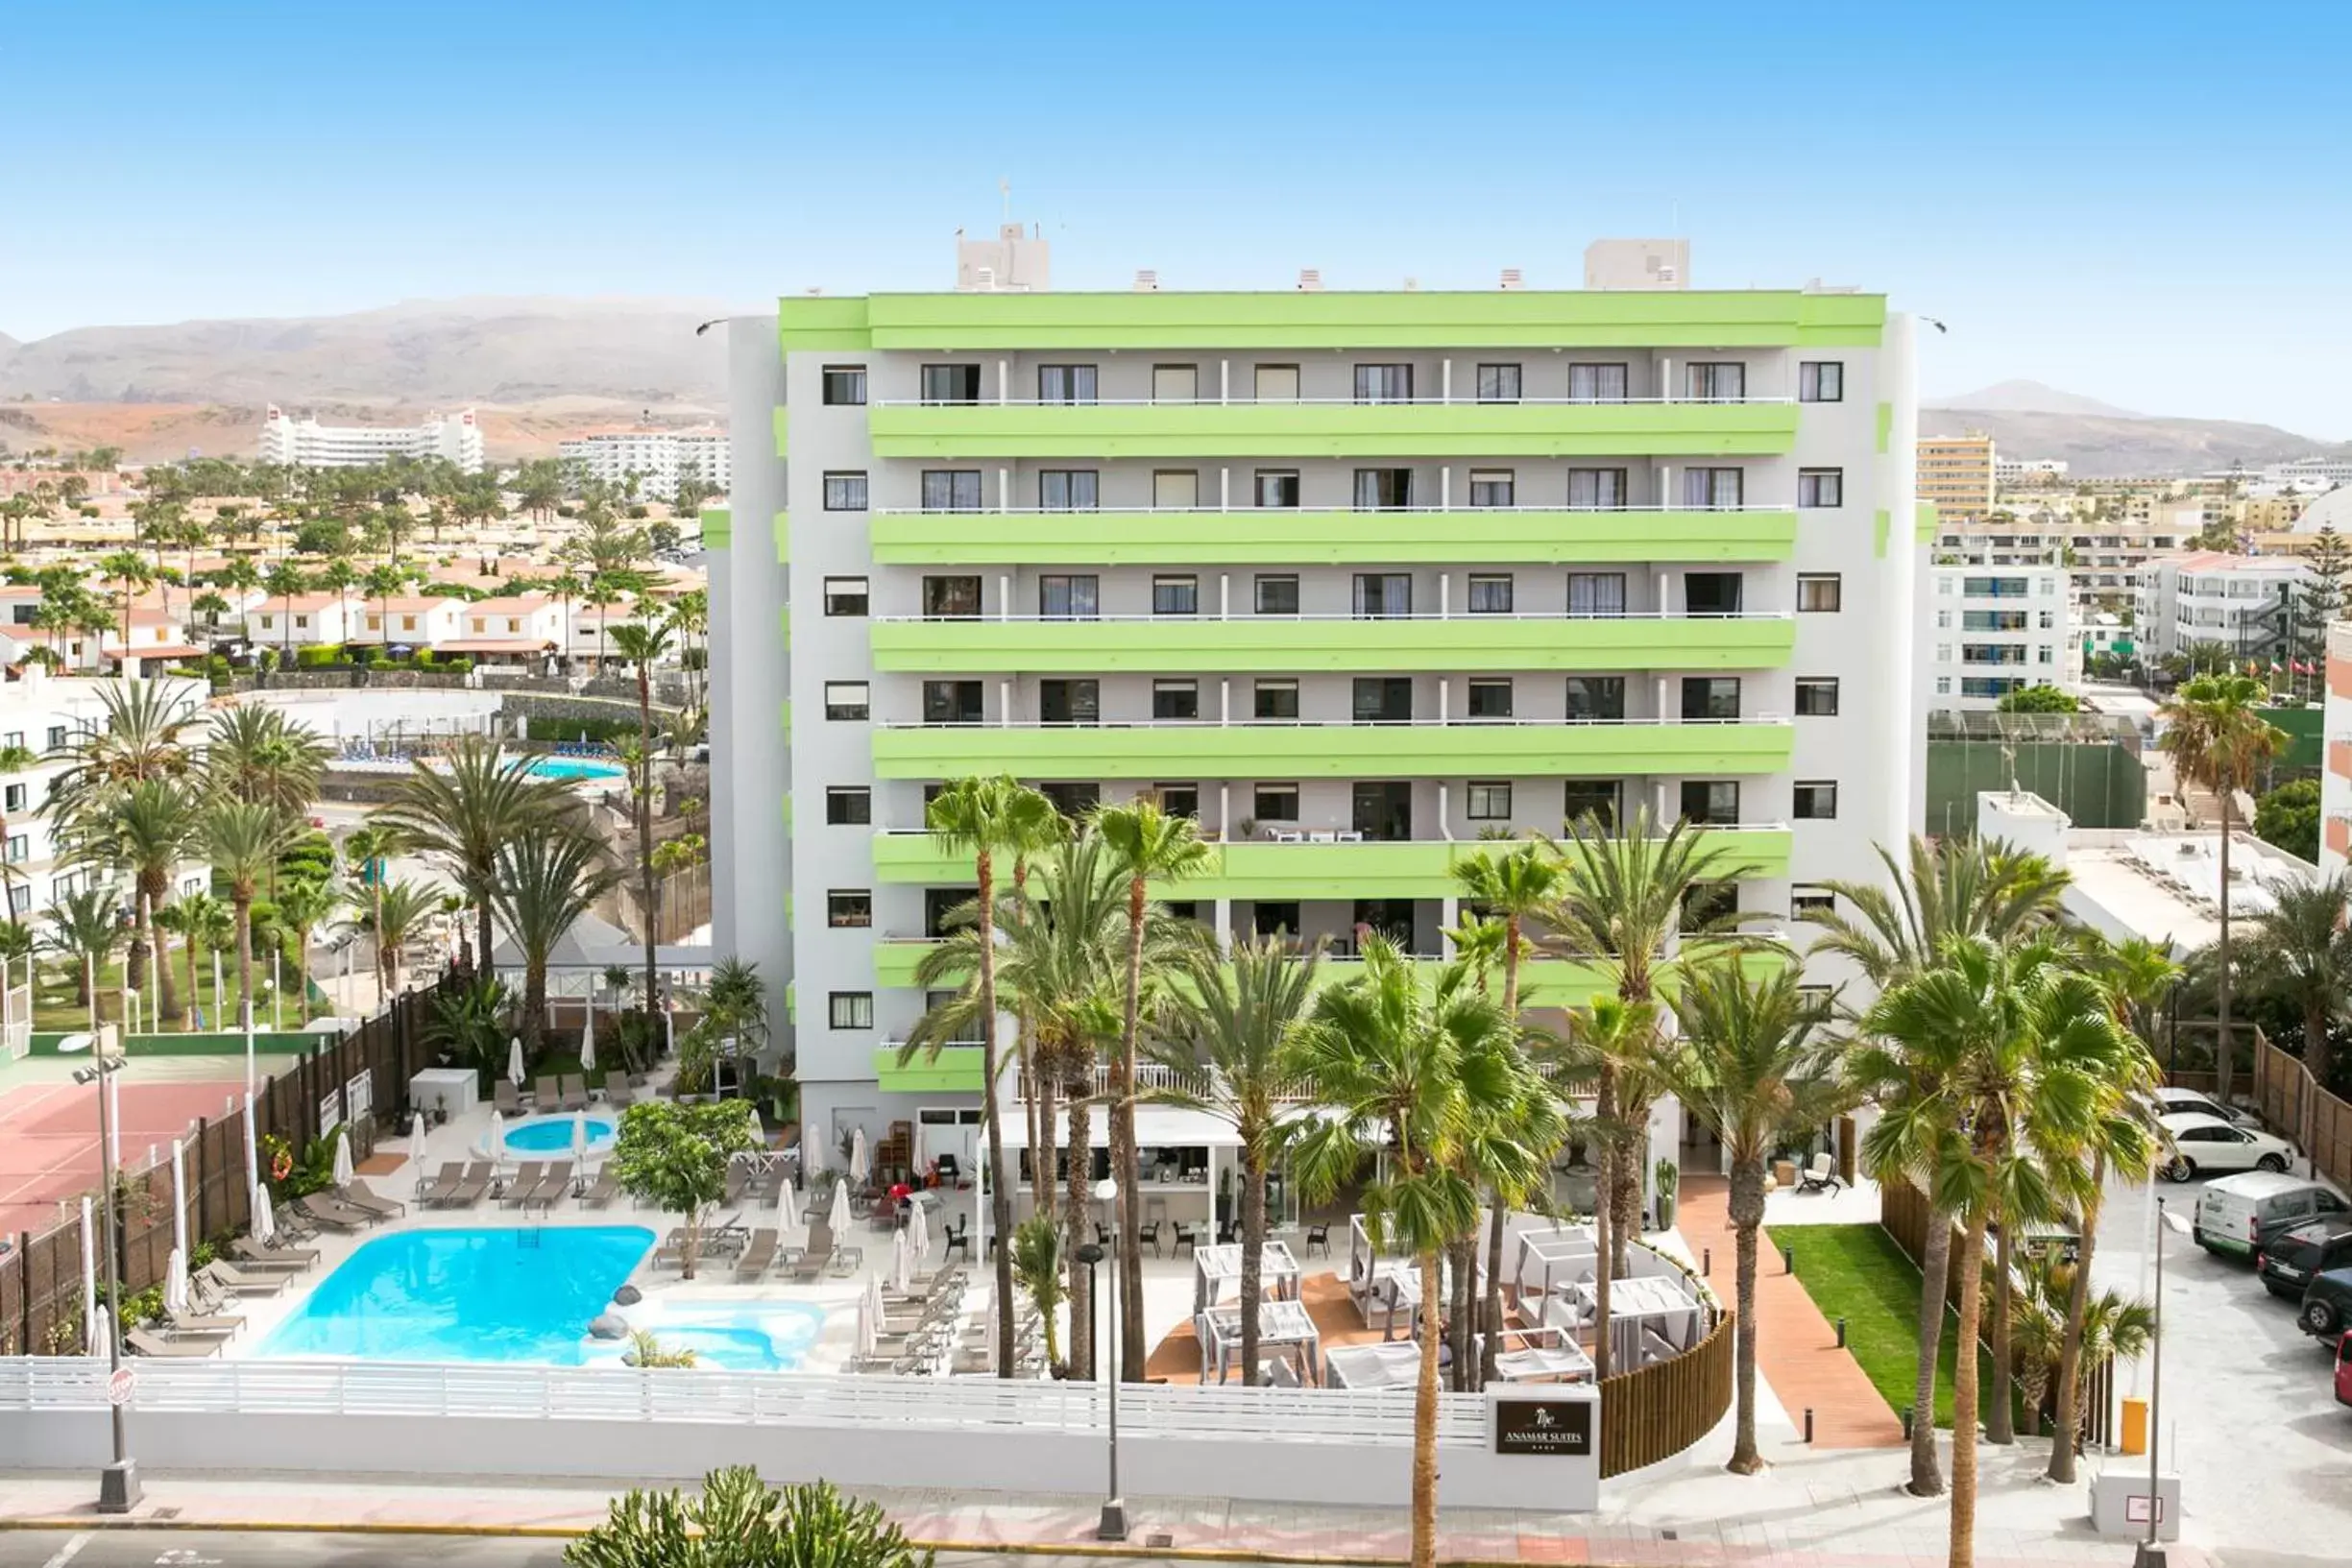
[(2250, 1402)]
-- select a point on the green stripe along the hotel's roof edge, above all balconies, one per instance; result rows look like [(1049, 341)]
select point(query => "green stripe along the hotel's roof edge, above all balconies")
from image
[(1342, 319)]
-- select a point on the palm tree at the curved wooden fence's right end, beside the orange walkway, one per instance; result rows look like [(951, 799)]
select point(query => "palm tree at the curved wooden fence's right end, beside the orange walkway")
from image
[(1756, 1068)]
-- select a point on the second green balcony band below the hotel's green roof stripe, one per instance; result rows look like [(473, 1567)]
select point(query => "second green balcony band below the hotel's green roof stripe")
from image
[(1257, 537)]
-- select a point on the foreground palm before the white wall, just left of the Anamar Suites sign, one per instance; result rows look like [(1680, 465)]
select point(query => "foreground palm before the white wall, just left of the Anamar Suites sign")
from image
[(1405, 1073)]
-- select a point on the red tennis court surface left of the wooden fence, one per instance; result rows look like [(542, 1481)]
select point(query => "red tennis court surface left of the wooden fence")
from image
[(51, 1139)]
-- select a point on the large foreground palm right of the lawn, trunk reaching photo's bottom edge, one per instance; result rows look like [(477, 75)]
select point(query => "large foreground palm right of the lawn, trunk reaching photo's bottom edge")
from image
[(2019, 1043)]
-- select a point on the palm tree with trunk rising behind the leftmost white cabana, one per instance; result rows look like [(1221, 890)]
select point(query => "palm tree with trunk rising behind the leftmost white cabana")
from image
[(1222, 1036)]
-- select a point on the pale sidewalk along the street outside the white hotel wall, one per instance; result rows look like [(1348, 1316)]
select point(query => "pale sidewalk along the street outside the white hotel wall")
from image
[(1822, 1510)]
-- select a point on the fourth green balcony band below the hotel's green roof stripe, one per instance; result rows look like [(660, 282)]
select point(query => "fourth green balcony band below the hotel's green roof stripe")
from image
[(1488, 749)]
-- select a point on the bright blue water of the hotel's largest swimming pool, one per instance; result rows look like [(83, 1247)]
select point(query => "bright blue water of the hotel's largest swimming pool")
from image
[(467, 1296)]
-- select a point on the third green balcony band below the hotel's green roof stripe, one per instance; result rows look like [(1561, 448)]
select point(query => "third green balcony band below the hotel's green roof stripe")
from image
[(1295, 645)]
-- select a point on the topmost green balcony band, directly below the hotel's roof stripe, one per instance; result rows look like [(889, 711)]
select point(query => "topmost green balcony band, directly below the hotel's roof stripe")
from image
[(1299, 429)]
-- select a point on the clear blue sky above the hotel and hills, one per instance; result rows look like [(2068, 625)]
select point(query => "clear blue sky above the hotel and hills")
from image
[(2144, 203)]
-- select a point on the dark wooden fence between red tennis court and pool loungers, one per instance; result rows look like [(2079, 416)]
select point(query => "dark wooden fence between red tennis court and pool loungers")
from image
[(41, 1278)]
